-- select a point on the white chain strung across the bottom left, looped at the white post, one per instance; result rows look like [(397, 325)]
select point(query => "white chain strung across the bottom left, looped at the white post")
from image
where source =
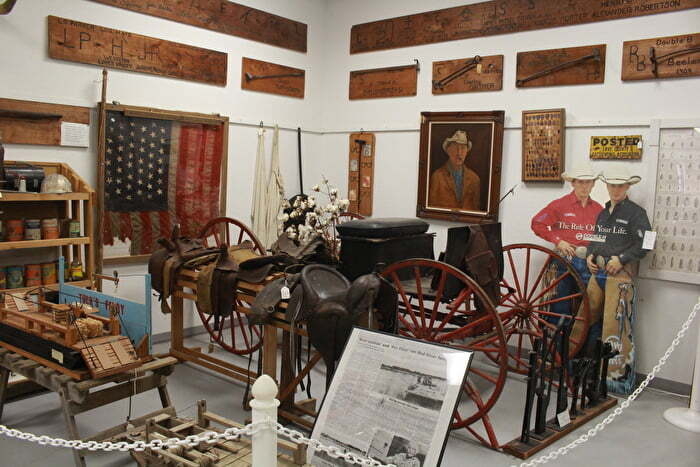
[(210, 437)]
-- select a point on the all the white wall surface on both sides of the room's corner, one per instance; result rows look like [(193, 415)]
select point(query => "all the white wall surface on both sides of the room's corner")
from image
[(612, 108)]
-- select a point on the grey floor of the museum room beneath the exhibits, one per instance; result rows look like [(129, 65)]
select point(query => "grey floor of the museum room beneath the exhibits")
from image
[(640, 436)]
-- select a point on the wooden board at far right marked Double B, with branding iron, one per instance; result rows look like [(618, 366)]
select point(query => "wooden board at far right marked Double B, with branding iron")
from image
[(637, 63)]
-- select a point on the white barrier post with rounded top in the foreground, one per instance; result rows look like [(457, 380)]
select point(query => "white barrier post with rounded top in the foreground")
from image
[(264, 406)]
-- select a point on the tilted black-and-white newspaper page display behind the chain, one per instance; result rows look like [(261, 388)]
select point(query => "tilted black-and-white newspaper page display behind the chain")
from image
[(391, 399)]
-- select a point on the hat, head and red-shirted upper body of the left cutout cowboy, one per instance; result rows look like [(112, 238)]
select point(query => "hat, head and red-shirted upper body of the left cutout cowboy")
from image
[(567, 221)]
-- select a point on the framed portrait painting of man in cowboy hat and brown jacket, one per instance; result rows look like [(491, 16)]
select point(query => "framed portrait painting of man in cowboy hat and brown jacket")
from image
[(459, 174)]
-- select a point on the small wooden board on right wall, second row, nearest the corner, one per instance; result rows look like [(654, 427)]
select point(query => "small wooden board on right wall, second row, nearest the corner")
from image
[(384, 82)]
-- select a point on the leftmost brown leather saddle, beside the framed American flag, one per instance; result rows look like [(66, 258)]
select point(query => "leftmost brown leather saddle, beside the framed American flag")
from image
[(176, 252)]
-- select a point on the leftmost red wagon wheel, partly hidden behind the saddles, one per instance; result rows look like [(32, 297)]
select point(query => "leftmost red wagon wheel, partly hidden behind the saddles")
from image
[(231, 332)]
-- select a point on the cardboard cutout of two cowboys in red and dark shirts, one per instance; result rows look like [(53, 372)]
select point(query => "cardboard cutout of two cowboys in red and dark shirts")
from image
[(604, 245)]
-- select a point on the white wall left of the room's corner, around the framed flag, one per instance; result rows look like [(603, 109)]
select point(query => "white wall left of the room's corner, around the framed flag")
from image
[(28, 73)]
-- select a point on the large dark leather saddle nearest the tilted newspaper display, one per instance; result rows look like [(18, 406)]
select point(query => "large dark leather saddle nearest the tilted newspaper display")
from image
[(330, 306)]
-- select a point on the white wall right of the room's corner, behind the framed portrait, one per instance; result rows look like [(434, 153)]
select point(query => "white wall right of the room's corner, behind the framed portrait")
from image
[(613, 108)]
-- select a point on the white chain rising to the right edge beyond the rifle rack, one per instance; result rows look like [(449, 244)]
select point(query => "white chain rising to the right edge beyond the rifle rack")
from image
[(626, 403)]
